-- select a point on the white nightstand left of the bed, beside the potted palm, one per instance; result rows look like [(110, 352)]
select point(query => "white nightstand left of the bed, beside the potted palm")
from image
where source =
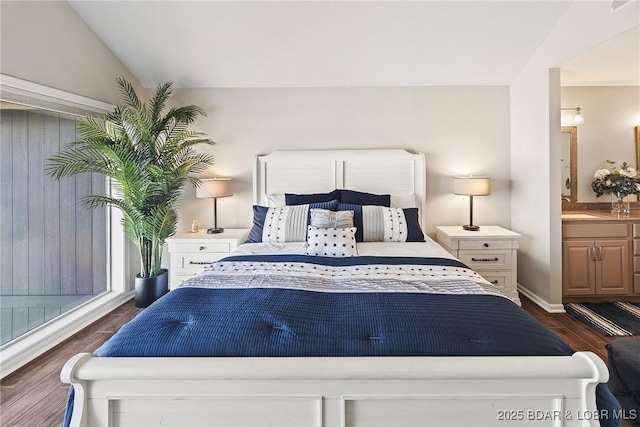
[(190, 252)]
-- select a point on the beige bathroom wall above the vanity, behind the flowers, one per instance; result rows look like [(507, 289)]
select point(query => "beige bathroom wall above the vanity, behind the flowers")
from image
[(608, 133)]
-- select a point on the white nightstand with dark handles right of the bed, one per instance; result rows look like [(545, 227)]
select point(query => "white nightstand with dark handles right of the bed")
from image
[(492, 251)]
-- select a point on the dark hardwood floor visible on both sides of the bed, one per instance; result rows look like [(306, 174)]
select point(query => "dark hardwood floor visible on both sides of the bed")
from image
[(34, 396)]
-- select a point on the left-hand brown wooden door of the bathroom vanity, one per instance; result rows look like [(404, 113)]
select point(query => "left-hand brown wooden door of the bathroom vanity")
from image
[(578, 270)]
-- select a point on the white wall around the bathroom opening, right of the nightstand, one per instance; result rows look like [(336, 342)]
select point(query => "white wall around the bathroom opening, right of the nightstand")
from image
[(535, 155)]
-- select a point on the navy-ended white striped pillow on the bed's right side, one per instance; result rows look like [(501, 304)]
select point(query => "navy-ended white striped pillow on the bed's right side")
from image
[(382, 224)]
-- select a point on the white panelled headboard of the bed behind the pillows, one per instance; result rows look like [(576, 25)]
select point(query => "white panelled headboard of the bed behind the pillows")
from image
[(320, 171)]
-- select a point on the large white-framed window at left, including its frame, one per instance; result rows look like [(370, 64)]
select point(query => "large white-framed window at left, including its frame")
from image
[(62, 266)]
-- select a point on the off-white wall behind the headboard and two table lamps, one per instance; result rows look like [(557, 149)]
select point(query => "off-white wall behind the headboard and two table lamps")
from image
[(461, 130)]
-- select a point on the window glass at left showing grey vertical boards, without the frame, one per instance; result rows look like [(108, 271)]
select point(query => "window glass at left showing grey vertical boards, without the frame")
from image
[(53, 250)]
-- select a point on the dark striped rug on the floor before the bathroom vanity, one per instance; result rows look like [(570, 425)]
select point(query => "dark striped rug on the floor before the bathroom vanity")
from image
[(610, 318)]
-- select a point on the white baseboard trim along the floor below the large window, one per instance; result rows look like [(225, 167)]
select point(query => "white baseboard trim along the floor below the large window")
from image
[(26, 348)]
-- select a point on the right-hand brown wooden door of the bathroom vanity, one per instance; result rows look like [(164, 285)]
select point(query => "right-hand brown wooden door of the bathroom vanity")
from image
[(613, 274)]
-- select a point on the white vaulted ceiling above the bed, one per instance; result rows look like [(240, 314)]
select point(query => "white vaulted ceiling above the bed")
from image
[(322, 43)]
